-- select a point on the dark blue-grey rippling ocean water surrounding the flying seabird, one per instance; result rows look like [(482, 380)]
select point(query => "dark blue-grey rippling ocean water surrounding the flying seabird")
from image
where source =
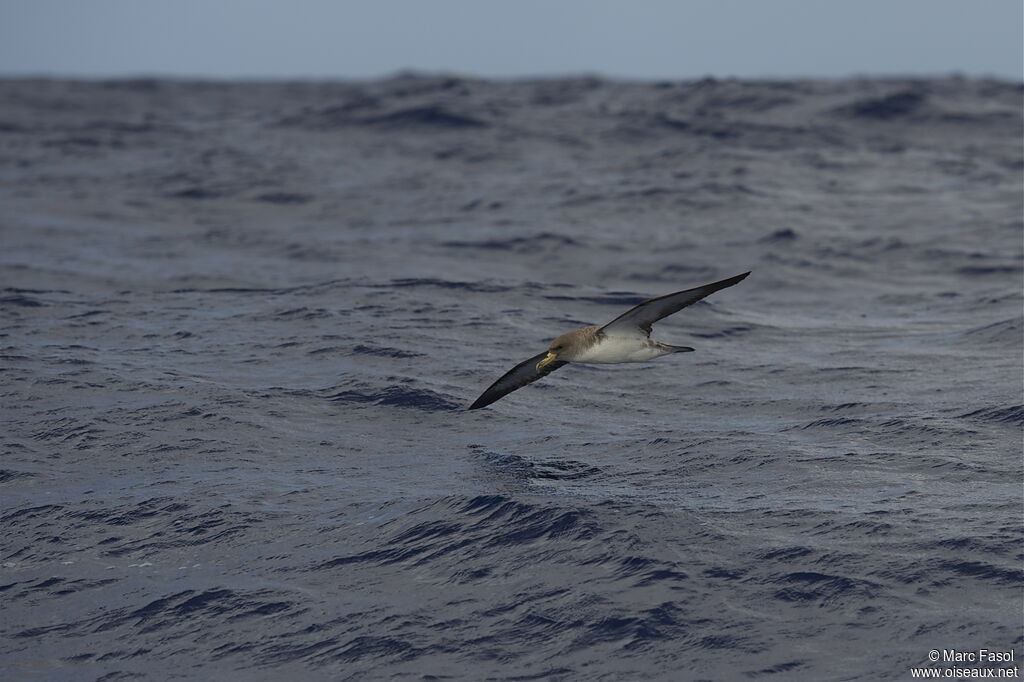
[(242, 324)]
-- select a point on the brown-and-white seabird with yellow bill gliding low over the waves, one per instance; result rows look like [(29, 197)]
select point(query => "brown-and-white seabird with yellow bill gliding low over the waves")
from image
[(625, 339)]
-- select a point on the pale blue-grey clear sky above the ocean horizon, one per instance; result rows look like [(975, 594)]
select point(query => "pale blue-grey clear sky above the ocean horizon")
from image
[(646, 39)]
